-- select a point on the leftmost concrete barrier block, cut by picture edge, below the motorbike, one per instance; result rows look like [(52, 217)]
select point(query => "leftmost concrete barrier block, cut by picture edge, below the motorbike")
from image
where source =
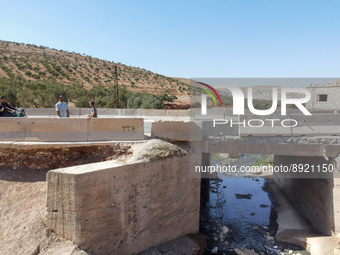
[(12, 129)]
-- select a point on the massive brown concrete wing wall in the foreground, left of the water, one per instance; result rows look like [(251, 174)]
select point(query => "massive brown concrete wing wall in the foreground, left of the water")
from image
[(117, 208)]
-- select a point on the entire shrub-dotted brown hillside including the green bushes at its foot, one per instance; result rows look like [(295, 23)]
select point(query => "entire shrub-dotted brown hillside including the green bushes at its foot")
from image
[(34, 76)]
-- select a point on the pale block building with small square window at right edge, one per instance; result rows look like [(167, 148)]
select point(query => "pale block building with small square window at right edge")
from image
[(324, 97)]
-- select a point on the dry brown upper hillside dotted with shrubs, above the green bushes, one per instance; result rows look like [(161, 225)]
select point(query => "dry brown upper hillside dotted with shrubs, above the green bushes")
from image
[(39, 63)]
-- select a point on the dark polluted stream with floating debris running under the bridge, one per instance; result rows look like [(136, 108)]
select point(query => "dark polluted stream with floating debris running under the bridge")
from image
[(237, 214)]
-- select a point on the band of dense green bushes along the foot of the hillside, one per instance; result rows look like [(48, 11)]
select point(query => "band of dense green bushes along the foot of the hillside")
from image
[(26, 93)]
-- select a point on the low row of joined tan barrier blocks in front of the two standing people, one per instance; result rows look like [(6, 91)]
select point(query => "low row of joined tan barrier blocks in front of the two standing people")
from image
[(71, 129)]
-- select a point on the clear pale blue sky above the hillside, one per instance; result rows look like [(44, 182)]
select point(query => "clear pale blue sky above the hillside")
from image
[(218, 38)]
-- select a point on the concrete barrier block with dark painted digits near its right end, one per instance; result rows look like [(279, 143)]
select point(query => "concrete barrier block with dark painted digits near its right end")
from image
[(115, 129)]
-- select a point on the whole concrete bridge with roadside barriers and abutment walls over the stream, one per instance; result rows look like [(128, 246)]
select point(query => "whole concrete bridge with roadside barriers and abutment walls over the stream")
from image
[(119, 205)]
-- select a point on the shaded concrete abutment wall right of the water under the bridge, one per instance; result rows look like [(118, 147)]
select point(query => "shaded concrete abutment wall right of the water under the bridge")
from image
[(317, 199)]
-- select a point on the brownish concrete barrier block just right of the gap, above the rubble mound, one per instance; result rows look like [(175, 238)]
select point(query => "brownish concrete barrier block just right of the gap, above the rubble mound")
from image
[(176, 131)]
